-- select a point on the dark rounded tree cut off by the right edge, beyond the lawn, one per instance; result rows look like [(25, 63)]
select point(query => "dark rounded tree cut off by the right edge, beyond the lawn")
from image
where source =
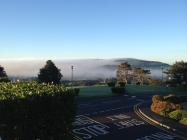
[(178, 73)]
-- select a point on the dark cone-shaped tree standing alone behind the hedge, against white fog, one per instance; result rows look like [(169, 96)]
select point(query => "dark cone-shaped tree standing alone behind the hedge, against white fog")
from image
[(50, 73)]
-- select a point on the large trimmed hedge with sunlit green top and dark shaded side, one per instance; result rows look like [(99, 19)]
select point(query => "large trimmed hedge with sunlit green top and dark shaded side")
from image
[(36, 111)]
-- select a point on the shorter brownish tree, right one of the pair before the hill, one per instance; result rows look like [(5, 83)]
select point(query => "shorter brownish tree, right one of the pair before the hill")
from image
[(140, 75)]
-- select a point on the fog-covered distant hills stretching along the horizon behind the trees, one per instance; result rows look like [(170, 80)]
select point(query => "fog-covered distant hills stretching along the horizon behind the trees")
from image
[(83, 69)]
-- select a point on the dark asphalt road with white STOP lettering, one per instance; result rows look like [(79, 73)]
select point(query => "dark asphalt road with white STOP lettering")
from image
[(114, 119)]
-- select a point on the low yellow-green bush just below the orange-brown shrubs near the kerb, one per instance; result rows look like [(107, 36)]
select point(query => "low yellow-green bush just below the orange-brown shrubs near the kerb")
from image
[(178, 114)]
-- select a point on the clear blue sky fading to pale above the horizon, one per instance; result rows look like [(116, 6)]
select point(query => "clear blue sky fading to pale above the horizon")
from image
[(76, 29)]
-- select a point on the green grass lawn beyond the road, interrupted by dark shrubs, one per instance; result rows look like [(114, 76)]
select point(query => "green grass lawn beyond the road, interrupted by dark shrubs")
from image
[(105, 91)]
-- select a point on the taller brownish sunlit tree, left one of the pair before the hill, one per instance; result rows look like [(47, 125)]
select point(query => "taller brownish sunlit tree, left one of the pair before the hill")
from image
[(123, 72)]
